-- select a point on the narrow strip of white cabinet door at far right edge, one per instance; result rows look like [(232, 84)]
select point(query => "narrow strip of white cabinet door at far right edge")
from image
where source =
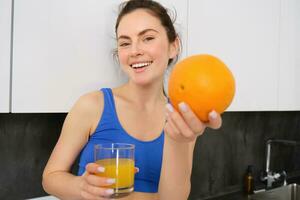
[(289, 76)]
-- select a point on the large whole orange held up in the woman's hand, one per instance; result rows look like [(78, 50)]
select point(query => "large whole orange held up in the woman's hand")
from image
[(204, 82)]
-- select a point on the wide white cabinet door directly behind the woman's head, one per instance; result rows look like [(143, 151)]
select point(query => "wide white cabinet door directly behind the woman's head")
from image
[(63, 49)]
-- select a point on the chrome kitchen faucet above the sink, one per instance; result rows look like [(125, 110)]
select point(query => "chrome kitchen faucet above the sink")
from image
[(270, 176)]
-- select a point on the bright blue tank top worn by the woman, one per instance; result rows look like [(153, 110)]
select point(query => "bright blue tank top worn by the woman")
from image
[(148, 154)]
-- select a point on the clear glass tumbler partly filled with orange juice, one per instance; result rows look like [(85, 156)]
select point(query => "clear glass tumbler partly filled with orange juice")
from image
[(118, 161)]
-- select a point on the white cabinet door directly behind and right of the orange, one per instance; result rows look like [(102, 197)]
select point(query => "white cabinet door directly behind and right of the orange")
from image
[(245, 35)]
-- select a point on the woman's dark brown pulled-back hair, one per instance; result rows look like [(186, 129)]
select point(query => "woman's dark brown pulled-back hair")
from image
[(154, 8)]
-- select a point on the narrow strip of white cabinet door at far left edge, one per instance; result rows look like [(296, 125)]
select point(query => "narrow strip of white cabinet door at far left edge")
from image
[(5, 35)]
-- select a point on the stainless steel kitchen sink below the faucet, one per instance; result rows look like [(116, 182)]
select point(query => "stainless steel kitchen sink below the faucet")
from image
[(288, 192)]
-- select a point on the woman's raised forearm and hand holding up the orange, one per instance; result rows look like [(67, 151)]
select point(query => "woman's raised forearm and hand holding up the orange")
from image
[(181, 133)]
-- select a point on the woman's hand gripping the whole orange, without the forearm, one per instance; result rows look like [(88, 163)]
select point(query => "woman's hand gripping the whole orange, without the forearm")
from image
[(186, 126)]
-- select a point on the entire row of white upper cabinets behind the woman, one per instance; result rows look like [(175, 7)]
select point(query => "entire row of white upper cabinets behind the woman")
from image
[(63, 49)]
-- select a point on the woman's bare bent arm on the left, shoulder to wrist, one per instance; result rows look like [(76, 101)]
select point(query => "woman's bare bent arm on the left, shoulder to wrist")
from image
[(57, 179)]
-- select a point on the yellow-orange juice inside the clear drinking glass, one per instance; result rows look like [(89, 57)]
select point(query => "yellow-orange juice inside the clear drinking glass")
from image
[(122, 169)]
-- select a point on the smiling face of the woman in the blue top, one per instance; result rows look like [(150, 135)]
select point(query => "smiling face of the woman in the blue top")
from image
[(143, 47)]
